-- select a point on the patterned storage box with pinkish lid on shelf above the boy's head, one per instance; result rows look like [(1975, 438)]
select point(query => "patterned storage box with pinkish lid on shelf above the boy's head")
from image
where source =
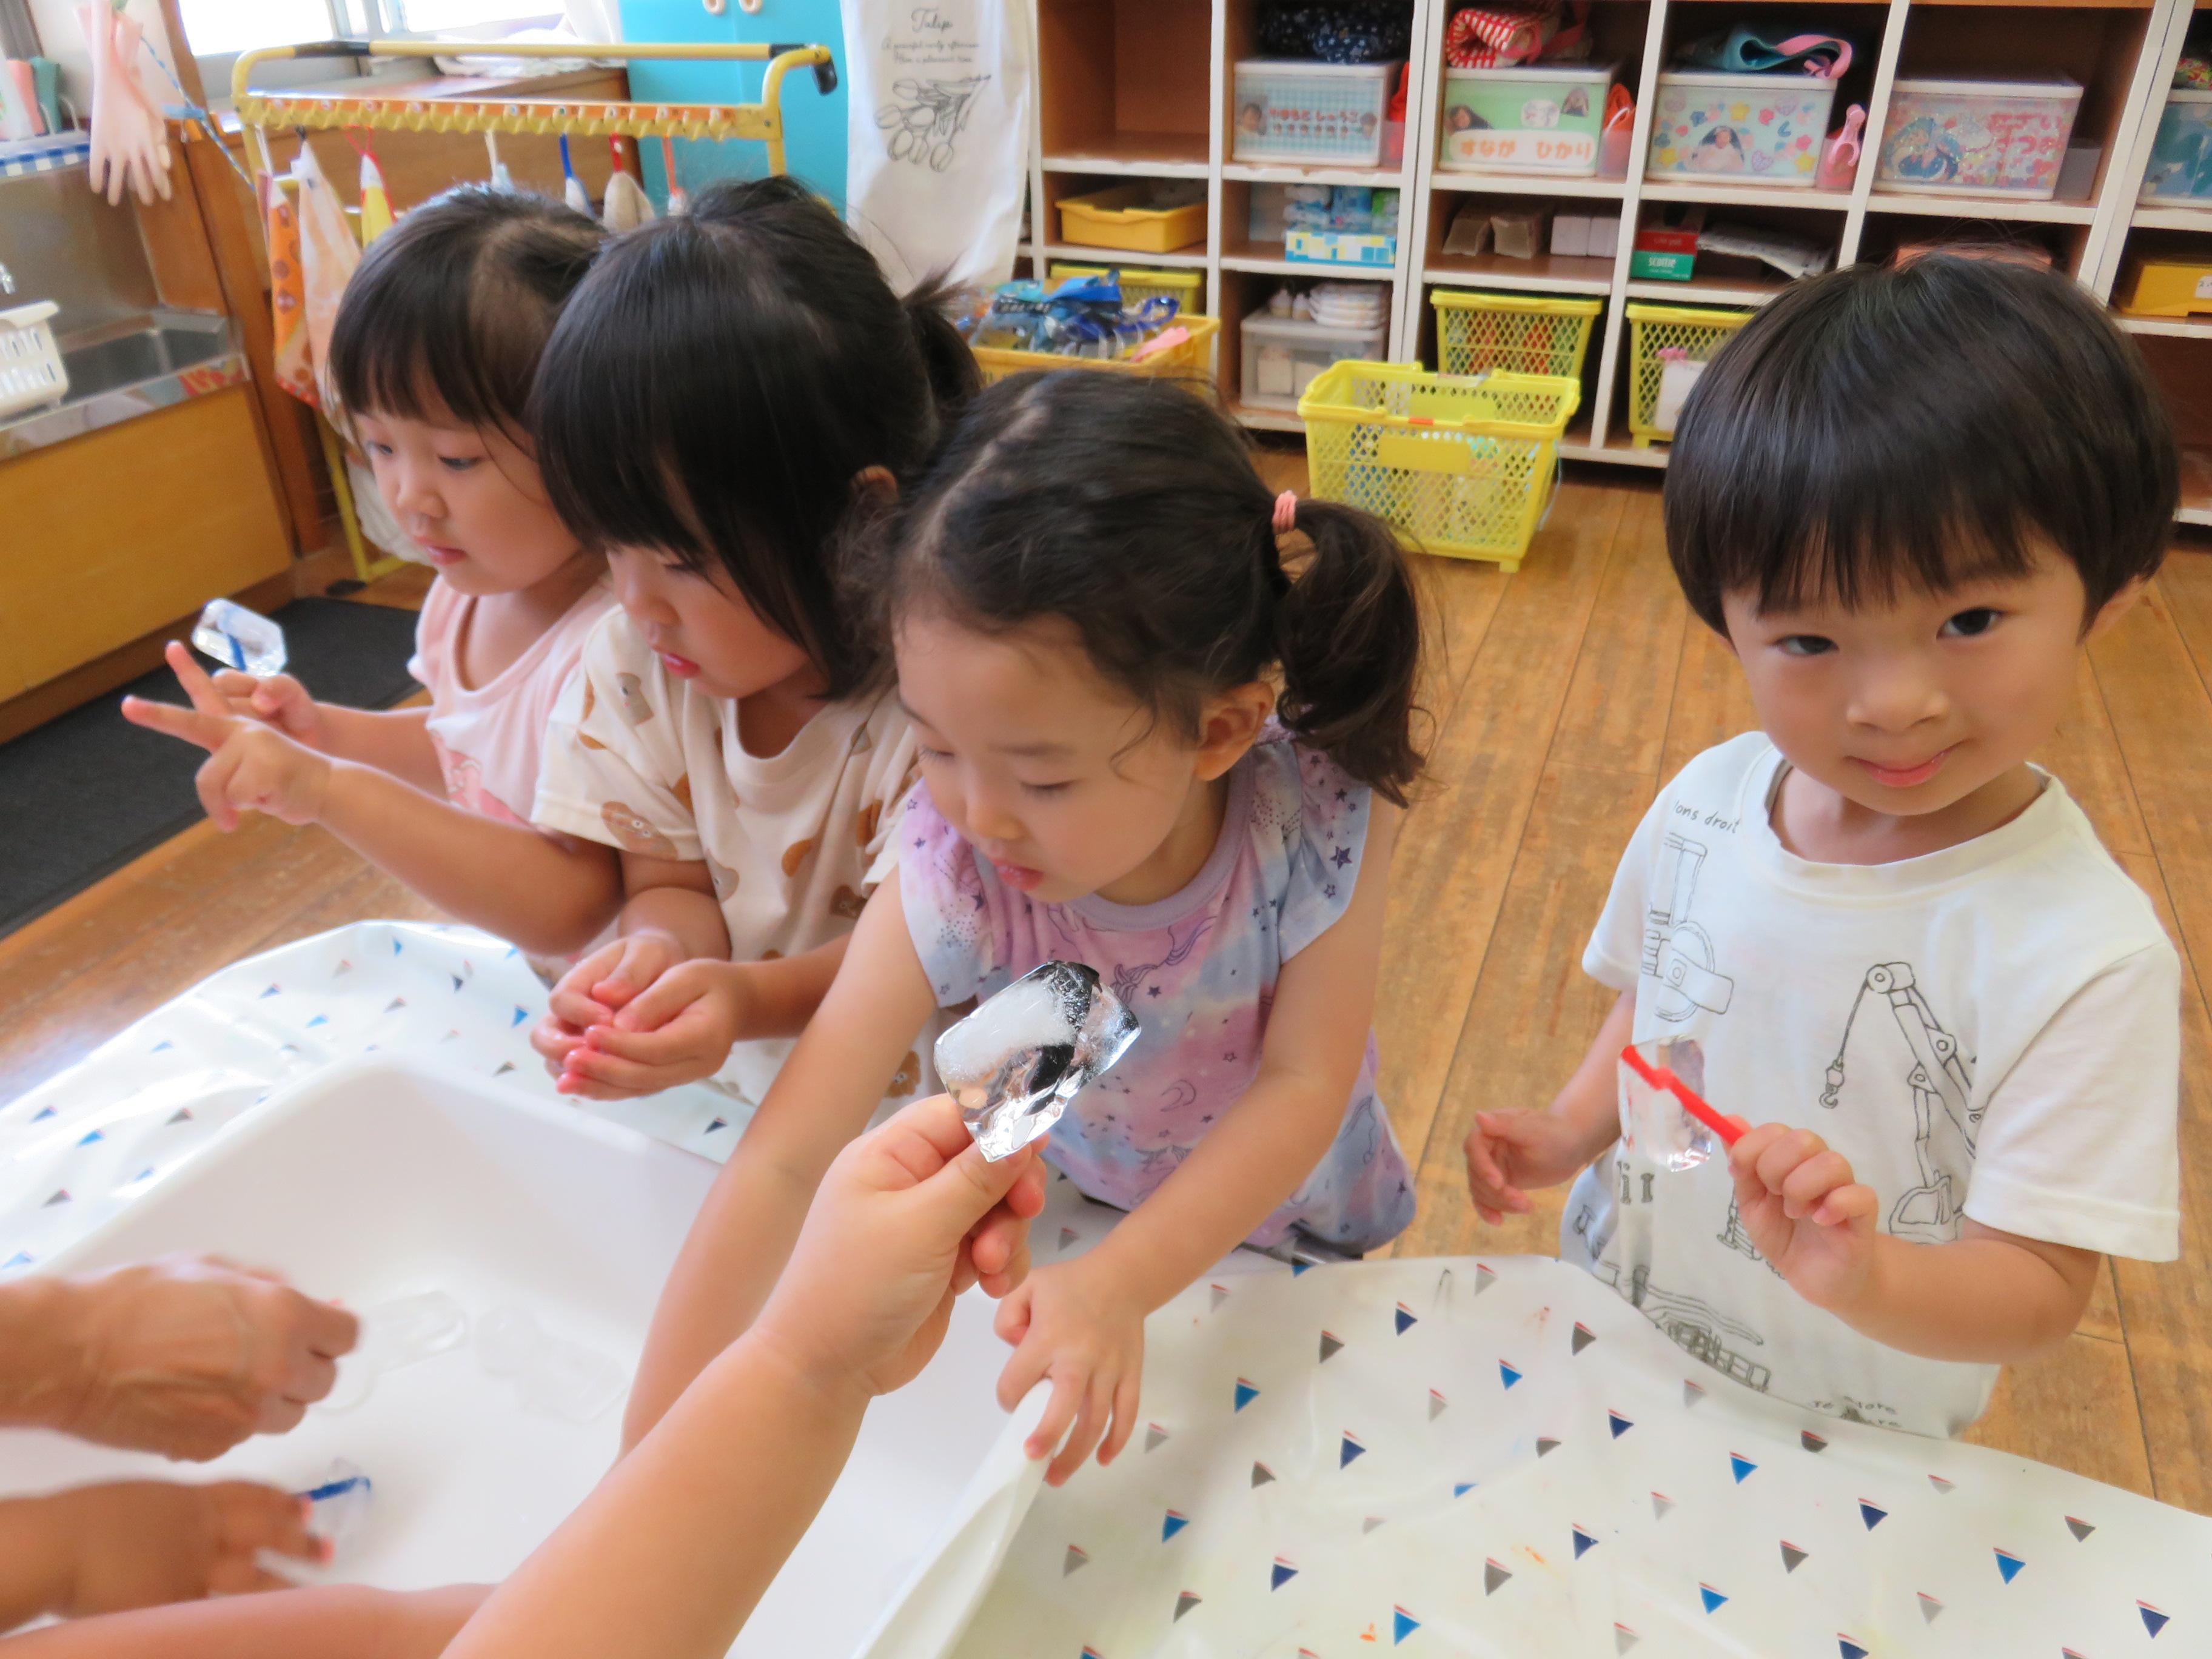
[(1979, 136)]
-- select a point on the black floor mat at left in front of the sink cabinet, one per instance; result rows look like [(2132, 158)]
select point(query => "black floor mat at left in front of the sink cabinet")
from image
[(90, 791)]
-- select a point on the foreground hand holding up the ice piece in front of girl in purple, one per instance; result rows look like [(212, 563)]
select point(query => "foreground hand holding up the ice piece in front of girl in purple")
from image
[(906, 1220)]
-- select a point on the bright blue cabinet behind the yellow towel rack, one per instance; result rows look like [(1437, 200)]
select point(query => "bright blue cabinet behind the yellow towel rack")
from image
[(813, 123)]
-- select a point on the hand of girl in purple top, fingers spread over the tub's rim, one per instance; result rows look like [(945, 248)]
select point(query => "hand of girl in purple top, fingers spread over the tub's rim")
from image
[(1076, 1326)]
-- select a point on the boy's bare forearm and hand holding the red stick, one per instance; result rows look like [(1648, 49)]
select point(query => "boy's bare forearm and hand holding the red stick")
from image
[(1985, 1300)]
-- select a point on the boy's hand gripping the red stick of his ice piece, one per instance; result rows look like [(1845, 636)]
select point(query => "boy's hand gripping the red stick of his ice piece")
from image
[(1806, 1213)]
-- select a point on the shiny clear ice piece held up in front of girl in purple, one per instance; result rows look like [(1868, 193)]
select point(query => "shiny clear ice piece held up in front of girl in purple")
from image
[(1023, 1056)]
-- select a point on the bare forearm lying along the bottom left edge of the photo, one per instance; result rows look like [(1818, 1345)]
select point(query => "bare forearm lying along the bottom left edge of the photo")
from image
[(328, 1623)]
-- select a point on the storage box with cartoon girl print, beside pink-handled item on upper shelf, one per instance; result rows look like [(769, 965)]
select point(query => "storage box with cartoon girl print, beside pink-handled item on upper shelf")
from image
[(1751, 129)]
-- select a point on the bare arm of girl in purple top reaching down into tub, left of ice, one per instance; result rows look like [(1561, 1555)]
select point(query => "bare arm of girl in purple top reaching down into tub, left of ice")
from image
[(822, 1098)]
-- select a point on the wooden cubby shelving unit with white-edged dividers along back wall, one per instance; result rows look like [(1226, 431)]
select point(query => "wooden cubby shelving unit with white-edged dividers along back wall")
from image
[(1112, 107)]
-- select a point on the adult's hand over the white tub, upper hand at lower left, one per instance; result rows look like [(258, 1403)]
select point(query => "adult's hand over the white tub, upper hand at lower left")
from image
[(191, 1357)]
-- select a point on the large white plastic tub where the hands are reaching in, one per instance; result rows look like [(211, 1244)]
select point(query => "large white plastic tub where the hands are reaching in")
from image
[(382, 1180)]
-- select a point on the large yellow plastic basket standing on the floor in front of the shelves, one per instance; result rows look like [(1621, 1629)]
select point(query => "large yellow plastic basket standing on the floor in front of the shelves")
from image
[(1457, 466)]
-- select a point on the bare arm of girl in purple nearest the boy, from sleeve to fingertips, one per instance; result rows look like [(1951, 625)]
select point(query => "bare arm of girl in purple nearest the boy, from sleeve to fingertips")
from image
[(1083, 1324)]
